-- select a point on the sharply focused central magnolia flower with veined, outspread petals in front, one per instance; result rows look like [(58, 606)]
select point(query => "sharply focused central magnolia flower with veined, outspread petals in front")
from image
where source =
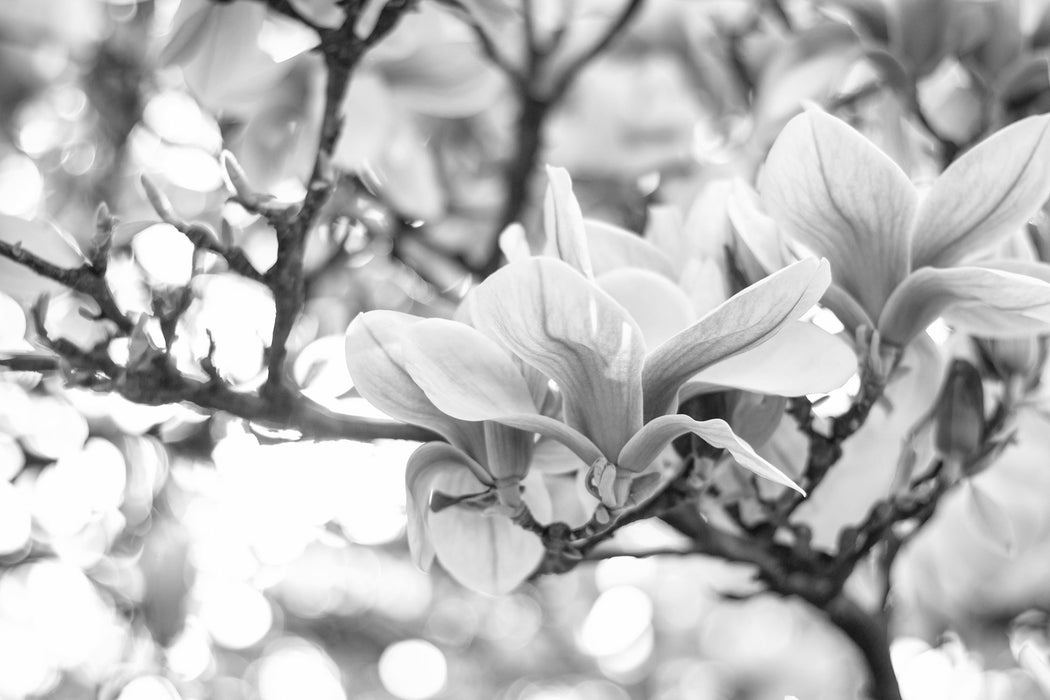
[(618, 395)]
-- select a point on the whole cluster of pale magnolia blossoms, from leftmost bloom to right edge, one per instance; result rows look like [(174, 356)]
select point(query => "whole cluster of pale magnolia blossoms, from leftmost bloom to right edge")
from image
[(574, 360)]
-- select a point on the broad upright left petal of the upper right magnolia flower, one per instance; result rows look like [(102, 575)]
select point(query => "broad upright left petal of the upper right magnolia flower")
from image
[(837, 195)]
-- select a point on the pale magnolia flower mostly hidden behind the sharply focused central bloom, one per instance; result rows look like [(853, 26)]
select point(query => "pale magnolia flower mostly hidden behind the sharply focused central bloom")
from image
[(667, 286)]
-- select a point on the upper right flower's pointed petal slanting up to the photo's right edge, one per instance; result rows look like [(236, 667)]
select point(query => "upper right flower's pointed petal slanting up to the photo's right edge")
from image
[(985, 196)]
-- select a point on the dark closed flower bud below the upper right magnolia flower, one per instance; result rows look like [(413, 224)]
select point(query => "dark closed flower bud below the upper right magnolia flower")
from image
[(960, 413)]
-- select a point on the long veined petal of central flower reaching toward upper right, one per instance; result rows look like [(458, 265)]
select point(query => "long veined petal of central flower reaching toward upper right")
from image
[(747, 321)]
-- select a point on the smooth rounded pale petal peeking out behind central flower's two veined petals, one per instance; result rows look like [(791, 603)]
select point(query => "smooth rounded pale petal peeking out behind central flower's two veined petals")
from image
[(659, 306)]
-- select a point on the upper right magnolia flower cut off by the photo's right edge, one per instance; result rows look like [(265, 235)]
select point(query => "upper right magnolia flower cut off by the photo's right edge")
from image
[(901, 260)]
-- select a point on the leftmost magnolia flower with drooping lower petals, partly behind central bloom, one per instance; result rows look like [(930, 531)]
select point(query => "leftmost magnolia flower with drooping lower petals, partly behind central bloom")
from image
[(482, 466)]
